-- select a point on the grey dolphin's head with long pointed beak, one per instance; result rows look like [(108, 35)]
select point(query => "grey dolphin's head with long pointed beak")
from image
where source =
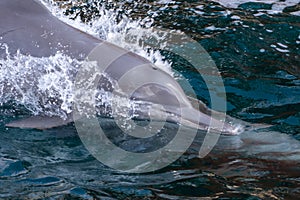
[(164, 99)]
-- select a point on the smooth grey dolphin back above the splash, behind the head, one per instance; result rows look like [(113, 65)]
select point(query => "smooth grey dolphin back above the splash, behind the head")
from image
[(26, 25)]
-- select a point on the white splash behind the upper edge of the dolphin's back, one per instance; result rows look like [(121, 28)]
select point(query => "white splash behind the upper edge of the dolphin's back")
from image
[(115, 27)]
